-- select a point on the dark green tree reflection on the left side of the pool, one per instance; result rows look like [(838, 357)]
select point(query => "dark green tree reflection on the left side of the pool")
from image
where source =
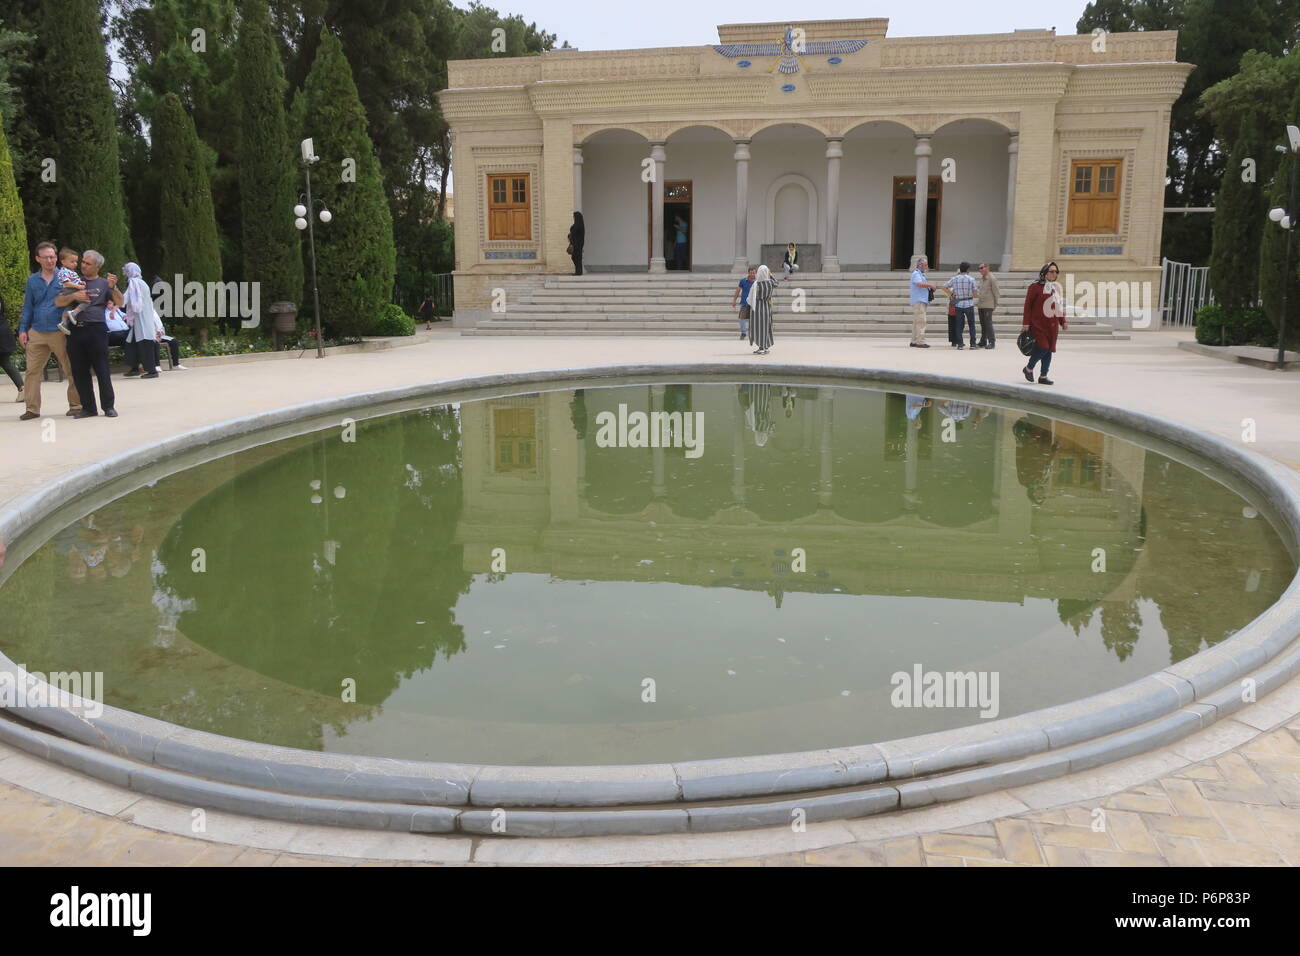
[(275, 602)]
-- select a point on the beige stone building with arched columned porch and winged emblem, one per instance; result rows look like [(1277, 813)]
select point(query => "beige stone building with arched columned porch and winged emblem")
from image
[(707, 159)]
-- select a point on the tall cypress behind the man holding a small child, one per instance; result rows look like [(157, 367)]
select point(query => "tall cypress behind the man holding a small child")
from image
[(92, 214)]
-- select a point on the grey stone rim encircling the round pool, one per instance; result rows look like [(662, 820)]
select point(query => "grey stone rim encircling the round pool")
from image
[(206, 769)]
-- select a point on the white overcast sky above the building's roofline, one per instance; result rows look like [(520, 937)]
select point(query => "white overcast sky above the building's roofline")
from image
[(622, 25)]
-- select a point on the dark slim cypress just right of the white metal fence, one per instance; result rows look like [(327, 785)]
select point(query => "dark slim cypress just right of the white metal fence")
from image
[(1240, 220)]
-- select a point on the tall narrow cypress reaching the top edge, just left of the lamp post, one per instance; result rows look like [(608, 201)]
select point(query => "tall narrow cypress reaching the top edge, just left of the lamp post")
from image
[(272, 250)]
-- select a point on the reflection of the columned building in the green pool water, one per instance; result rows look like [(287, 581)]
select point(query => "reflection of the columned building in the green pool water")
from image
[(865, 483)]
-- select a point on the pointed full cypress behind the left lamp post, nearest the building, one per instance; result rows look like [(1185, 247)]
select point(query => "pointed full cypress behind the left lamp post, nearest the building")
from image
[(356, 256)]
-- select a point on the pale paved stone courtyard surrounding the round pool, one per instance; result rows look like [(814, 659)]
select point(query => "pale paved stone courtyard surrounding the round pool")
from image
[(1227, 797)]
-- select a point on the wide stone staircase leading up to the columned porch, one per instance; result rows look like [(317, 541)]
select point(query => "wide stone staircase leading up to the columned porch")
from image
[(861, 304)]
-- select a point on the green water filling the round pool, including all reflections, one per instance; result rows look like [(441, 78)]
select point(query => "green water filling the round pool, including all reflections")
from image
[(523, 581)]
